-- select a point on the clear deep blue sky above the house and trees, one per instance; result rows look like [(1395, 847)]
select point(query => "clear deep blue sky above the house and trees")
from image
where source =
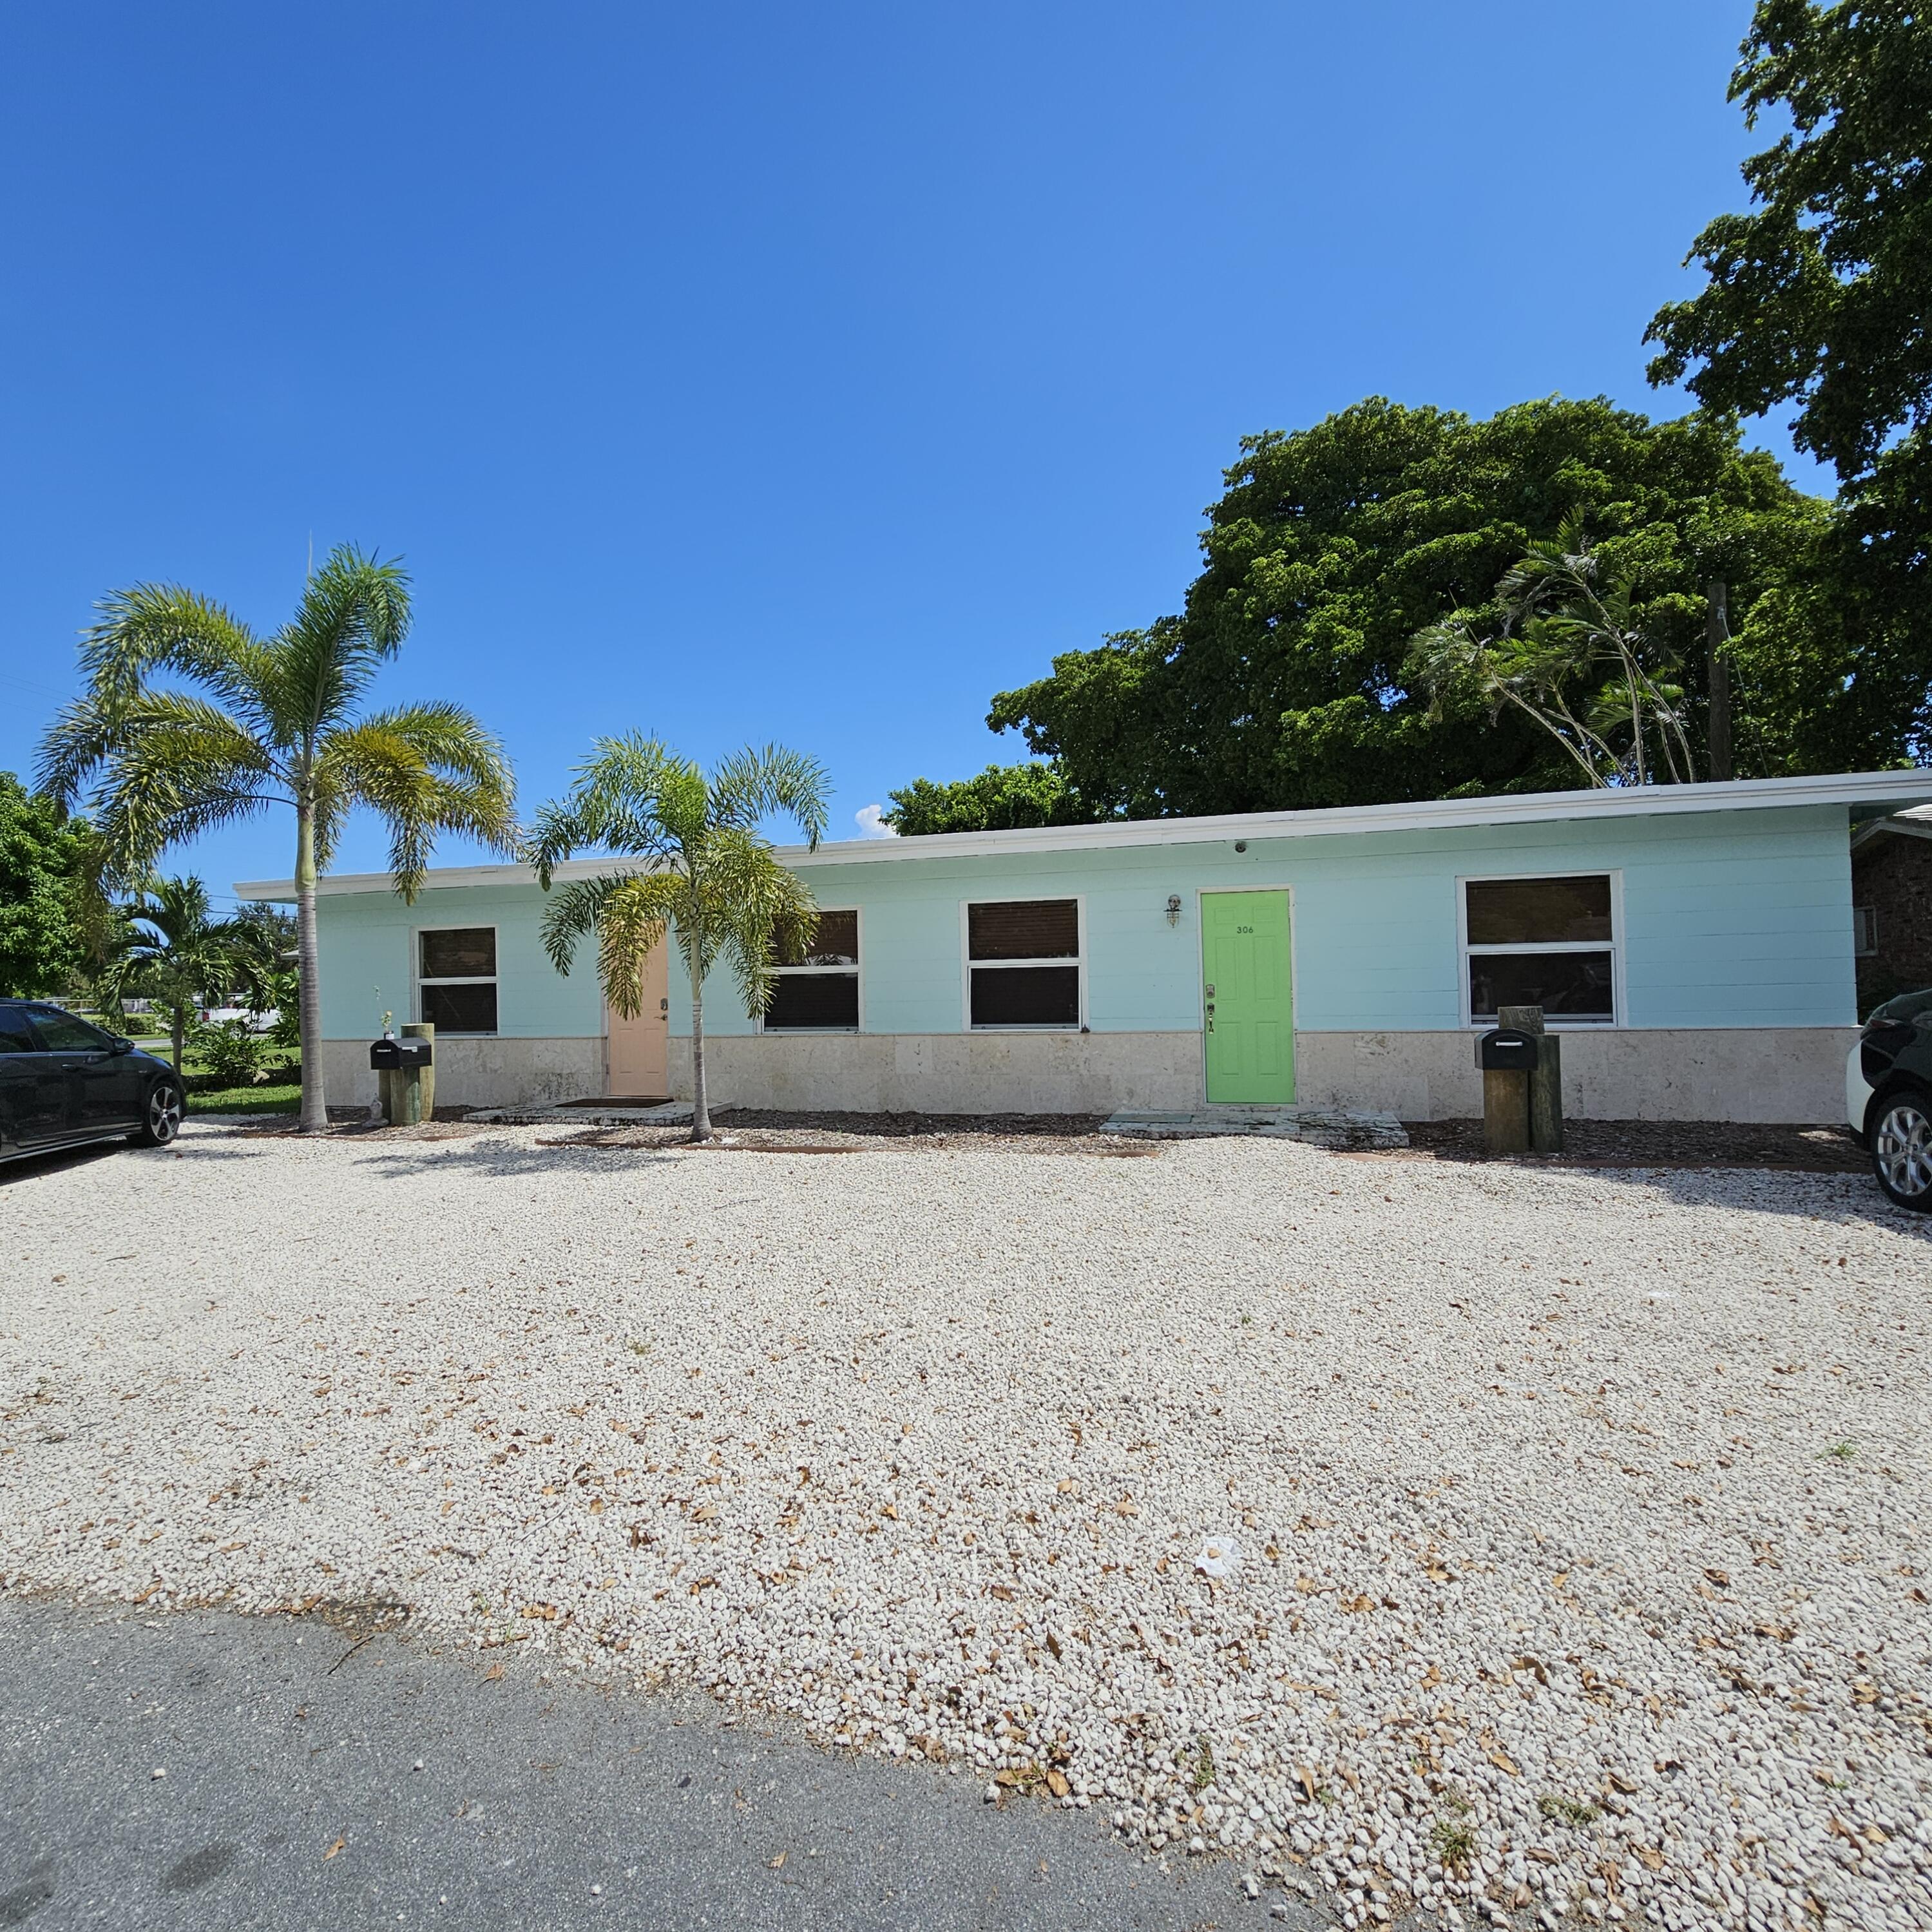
[(780, 372)]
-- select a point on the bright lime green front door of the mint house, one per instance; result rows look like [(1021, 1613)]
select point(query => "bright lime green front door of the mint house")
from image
[(1249, 998)]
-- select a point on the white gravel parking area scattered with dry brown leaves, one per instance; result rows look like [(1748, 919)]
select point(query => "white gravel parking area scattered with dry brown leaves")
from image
[(1574, 1523)]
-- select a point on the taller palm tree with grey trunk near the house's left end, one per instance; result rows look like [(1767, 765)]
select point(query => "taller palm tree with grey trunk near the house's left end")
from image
[(273, 724)]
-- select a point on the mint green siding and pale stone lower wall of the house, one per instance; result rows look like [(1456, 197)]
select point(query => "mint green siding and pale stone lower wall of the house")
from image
[(1730, 923)]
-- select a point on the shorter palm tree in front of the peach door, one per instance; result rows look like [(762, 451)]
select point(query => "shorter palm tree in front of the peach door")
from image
[(706, 874)]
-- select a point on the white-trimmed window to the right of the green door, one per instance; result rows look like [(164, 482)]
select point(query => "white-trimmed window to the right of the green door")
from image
[(1545, 944)]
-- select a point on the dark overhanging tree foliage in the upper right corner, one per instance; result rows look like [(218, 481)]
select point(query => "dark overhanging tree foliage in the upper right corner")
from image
[(1819, 297)]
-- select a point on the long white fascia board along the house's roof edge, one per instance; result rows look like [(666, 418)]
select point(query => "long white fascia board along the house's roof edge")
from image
[(1873, 789)]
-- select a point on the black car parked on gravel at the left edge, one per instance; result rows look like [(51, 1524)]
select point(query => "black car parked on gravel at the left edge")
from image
[(65, 1083)]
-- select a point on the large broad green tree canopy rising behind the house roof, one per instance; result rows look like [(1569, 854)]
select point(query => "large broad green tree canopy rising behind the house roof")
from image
[(1288, 683)]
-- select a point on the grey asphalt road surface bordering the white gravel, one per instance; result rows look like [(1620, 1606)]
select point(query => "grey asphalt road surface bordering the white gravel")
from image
[(310, 1780)]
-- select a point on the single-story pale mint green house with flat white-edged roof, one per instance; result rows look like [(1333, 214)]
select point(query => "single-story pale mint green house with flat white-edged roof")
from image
[(1693, 942)]
